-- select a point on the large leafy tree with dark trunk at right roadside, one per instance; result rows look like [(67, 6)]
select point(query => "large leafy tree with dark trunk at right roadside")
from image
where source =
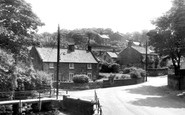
[(168, 37)]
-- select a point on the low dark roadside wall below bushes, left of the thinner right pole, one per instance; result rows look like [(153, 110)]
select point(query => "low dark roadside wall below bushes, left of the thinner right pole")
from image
[(123, 82)]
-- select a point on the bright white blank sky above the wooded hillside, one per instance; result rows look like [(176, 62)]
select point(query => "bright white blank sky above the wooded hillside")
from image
[(119, 15)]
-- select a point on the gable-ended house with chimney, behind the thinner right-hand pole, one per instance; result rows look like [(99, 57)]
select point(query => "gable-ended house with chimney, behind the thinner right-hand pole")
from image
[(135, 55)]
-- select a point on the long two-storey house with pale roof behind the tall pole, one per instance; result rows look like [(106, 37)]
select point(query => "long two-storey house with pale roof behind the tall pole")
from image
[(72, 61)]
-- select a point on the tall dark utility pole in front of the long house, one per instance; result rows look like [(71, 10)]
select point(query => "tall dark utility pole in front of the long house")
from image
[(58, 59)]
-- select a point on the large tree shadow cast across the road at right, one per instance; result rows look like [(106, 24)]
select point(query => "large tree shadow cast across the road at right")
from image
[(157, 96)]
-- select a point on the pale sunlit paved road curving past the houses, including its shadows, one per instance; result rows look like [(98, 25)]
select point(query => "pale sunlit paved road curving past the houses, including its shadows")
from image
[(149, 98)]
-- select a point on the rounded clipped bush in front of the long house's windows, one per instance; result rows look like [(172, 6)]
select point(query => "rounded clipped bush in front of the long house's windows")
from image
[(82, 78)]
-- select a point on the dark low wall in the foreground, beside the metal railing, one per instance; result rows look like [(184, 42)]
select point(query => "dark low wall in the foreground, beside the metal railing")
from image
[(78, 107)]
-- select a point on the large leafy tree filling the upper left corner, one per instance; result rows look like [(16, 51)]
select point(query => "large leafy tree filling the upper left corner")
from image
[(17, 25)]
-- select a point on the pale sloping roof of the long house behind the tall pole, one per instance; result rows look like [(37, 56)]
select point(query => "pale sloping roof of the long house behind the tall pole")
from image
[(78, 56)]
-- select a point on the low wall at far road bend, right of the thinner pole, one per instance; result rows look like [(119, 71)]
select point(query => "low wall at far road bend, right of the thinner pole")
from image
[(157, 72)]
